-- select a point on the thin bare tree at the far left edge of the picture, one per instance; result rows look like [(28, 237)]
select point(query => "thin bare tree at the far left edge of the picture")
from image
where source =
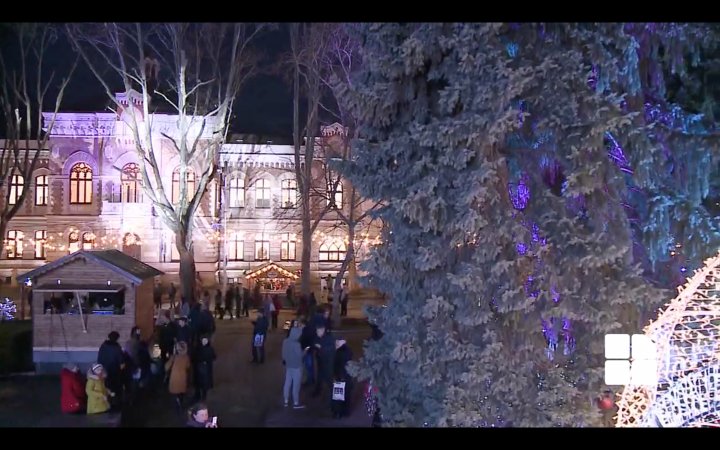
[(25, 86)]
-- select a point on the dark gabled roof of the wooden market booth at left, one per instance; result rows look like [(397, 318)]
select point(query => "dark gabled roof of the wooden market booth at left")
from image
[(127, 266)]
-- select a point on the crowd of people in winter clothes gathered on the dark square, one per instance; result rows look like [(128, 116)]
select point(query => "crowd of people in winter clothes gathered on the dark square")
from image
[(180, 353)]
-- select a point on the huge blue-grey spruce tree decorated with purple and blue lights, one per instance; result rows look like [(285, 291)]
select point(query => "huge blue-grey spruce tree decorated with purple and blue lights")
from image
[(533, 176)]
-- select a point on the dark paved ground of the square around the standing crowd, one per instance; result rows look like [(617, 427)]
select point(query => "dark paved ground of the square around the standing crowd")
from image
[(245, 394)]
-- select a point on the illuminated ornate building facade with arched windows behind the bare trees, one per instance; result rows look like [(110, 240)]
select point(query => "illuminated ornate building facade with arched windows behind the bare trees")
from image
[(86, 193)]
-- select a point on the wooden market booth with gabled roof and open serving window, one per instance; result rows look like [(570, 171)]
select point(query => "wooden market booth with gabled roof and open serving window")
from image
[(80, 298)]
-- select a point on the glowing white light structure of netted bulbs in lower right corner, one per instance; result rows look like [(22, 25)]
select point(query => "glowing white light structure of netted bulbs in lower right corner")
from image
[(688, 360)]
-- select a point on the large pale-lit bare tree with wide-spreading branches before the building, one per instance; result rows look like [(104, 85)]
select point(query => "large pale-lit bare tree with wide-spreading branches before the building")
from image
[(203, 66)]
